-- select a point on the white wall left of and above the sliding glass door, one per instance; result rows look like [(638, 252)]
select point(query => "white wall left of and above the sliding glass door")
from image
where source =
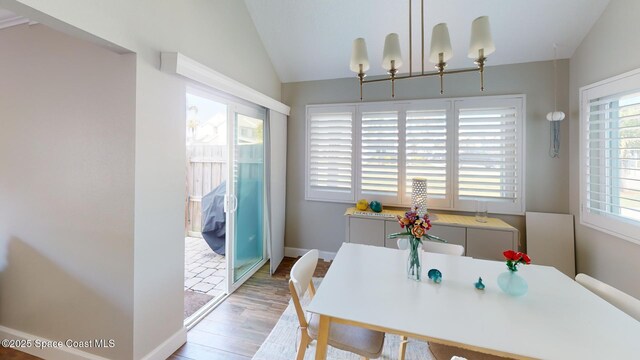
[(217, 33)]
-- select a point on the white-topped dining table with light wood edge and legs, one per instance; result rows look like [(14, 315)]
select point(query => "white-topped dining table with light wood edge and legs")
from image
[(556, 319)]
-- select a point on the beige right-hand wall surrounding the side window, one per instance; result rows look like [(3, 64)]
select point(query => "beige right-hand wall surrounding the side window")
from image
[(611, 48)]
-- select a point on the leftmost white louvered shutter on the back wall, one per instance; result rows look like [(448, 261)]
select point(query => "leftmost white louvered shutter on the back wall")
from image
[(330, 154)]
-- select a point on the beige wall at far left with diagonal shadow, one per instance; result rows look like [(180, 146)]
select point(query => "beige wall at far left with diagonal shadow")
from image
[(66, 188)]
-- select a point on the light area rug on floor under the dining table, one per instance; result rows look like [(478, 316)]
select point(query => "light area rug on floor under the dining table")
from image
[(281, 344)]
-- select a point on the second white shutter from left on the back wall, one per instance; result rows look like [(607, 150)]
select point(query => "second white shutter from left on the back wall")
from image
[(379, 155)]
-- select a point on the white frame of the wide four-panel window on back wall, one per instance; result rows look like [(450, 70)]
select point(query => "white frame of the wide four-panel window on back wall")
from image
[(451, 203)]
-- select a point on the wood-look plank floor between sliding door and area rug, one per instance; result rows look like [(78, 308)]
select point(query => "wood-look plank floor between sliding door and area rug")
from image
[(237, 327)]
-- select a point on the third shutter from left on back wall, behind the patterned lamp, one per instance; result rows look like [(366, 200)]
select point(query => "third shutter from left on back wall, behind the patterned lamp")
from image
[(426, 150)]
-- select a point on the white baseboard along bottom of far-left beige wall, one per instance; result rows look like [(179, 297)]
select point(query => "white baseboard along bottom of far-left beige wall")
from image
[(49, 353)]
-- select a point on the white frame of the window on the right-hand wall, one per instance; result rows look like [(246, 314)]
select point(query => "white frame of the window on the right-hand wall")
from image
[(629, 81)]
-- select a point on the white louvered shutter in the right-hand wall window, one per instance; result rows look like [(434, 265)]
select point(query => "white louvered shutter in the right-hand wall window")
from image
[(612, 163)]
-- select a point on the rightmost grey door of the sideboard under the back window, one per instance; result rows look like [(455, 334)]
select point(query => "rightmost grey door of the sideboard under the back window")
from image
[(489, 244)]
